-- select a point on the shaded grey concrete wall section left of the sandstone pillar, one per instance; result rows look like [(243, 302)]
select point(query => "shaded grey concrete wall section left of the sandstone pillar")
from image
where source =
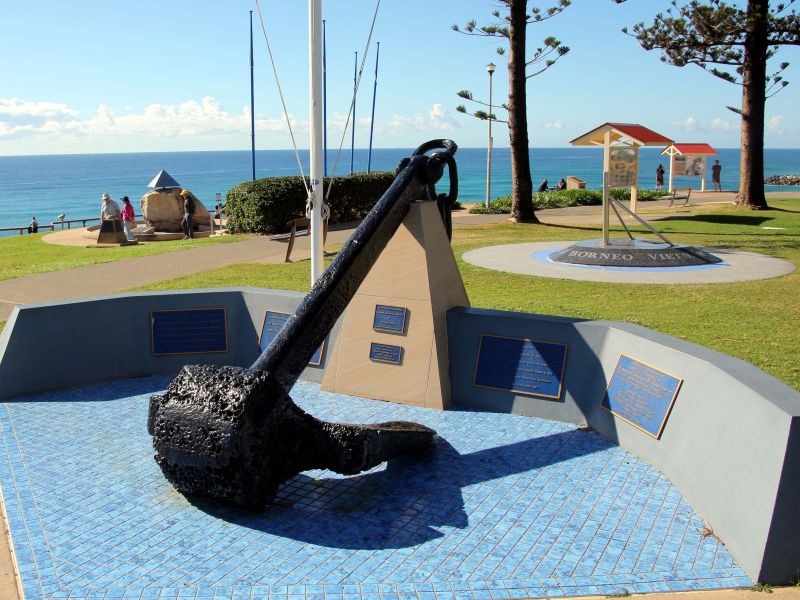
[(54, 346)]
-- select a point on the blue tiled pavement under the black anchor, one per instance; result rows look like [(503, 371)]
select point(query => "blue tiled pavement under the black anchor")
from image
[(506, 507)]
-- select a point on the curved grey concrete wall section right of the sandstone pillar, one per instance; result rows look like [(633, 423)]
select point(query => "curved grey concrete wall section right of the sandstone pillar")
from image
[(731, 444)]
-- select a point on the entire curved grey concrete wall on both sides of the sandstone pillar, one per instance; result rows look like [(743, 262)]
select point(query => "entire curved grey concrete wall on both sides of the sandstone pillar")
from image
[(731, 444)]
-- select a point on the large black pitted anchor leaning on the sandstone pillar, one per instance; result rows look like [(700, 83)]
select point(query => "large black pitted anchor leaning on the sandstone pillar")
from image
[(234, 434)]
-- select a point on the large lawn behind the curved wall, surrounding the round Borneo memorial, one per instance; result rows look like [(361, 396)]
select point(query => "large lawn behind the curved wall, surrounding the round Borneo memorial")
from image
[(757, 321)]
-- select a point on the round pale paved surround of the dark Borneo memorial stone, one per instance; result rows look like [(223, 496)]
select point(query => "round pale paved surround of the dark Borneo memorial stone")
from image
[(540, 259)]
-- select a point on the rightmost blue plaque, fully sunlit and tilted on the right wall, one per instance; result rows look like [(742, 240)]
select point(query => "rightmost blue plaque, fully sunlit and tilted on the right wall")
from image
[(641, 395)]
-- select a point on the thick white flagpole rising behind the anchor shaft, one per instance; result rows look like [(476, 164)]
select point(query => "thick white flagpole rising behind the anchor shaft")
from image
[(315, 113)]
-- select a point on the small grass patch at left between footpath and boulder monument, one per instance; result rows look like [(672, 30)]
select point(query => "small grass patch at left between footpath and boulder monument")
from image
[(27, 254)]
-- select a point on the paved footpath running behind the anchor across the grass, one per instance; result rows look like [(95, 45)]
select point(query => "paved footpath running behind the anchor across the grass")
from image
[(116, 276)]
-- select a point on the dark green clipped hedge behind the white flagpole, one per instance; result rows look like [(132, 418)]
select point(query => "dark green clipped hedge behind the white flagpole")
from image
[(265, 206)]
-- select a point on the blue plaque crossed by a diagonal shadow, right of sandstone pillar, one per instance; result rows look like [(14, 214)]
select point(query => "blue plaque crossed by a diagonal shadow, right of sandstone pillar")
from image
[(519, 365)]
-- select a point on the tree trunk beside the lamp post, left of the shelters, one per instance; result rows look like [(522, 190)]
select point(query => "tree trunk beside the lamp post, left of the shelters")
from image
[(521, 184)]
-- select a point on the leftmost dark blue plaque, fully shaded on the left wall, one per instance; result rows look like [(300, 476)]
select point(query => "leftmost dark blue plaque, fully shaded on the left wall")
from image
[(188, 331)]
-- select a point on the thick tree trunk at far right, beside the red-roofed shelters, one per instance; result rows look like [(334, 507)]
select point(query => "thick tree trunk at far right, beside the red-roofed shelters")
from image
[(754, 85)]
